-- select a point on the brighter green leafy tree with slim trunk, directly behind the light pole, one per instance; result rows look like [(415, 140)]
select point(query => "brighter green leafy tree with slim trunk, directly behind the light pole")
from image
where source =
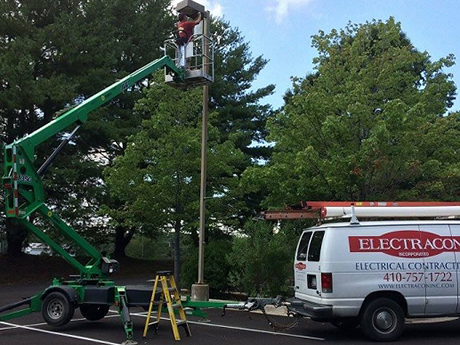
[(159, 176)]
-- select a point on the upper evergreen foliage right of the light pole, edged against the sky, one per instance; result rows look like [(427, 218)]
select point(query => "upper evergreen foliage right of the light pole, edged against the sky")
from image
[(241, 116)]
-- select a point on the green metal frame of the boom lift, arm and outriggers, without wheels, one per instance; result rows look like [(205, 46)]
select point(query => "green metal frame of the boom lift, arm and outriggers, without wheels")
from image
[(24, 196)]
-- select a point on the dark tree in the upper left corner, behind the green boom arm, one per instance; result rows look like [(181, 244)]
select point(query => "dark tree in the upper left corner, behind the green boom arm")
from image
[(30, 90)]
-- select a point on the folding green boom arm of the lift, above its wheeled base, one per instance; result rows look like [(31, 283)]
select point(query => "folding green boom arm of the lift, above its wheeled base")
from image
[(23, 186)]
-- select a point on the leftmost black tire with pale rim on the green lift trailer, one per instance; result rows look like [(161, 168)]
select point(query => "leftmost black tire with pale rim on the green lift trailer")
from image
[(57, 310)]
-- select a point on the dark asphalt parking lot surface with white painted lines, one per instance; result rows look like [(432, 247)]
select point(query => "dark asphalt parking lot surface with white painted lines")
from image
[(235, 327)]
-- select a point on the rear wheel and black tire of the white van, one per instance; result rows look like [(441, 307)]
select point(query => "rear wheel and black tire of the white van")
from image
[(382, 320)]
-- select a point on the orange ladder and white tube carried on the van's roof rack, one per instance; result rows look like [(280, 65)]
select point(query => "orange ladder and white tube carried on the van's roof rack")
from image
[(380, 209)]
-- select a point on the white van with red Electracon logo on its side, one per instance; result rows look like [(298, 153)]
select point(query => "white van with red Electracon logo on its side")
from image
[(375, 274)]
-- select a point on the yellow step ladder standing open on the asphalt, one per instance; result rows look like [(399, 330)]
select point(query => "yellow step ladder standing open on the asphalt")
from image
[(171, 297)]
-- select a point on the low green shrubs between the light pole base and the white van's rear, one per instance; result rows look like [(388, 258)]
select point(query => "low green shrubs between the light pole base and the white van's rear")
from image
[(259, 263)]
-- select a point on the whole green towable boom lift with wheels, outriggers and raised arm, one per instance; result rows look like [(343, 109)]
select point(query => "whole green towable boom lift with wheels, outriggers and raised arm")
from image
[(91, 290)]
